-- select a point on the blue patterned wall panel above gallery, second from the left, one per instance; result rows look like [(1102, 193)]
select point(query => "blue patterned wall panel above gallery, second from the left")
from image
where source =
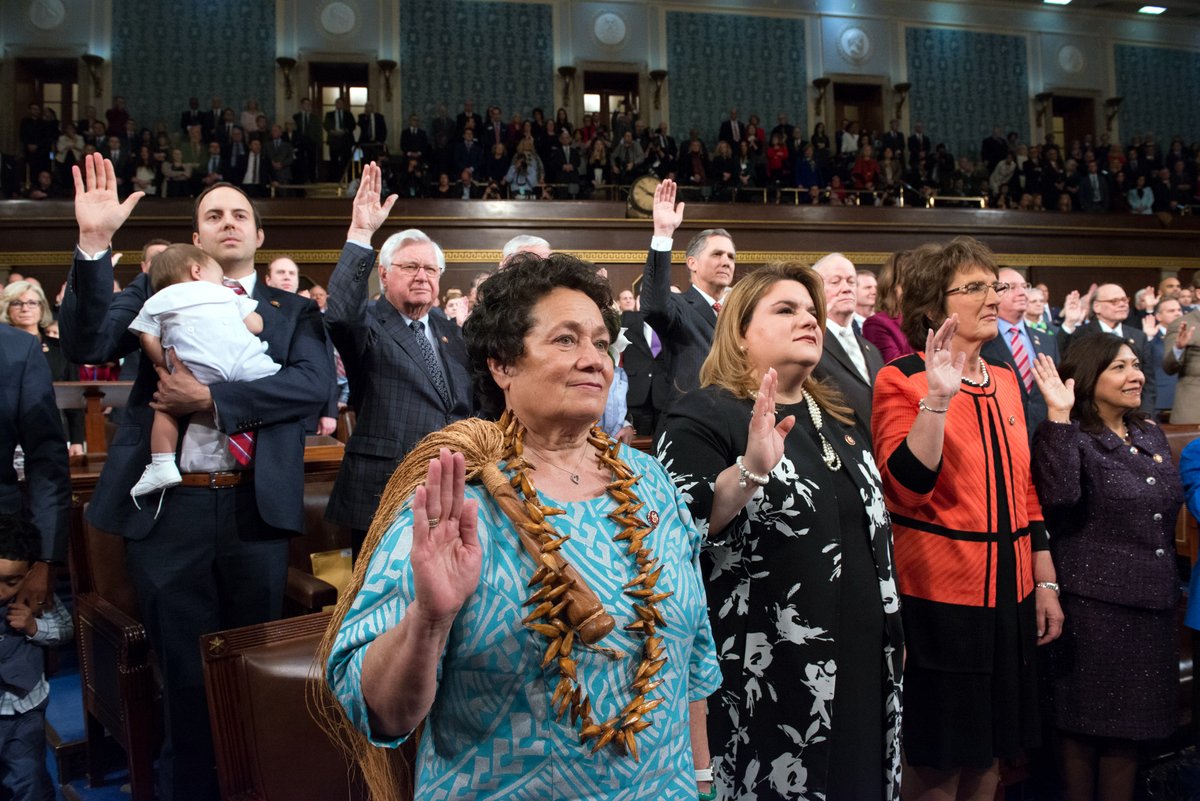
[(496, 53)]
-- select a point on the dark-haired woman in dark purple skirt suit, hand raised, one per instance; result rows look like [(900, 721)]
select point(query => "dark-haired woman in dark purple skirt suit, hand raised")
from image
[(1111, 496)]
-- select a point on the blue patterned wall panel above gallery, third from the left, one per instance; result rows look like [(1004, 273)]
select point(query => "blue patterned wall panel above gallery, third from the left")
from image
[(718, 62)]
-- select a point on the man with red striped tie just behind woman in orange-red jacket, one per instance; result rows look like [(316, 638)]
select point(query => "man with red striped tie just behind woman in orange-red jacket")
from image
[(1019, 346)]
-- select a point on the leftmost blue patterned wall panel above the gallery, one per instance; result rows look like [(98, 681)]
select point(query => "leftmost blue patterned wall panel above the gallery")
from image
[(165, 53)]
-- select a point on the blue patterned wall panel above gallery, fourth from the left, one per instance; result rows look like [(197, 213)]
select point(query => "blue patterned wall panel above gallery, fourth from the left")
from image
[(964, 83)]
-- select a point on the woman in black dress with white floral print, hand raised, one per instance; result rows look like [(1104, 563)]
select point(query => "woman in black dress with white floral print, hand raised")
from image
[(797, 557)]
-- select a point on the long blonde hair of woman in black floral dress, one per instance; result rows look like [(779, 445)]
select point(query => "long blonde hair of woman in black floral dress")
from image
[(728, 365)]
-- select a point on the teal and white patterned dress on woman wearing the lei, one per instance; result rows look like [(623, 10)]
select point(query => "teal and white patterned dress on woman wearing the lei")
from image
[(490, 734)]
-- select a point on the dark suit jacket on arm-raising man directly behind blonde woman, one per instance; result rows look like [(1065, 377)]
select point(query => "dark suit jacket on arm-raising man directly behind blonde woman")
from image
[(686, 323)]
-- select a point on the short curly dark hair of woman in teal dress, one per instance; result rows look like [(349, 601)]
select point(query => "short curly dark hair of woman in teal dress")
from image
[(503, 314)]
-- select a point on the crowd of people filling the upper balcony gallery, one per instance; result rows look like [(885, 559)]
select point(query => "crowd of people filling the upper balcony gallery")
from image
[(473, 156)]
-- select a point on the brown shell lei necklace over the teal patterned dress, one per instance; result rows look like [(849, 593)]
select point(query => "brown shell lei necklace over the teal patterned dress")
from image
[(549, 617)]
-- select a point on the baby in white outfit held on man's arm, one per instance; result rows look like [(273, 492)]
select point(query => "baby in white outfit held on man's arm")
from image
[(212, 330)]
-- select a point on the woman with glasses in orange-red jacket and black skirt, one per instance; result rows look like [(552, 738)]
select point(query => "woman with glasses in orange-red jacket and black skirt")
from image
[(971, 550)]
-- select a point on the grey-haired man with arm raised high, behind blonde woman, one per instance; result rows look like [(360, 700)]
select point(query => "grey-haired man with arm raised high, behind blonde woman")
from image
[(685, 322)]
